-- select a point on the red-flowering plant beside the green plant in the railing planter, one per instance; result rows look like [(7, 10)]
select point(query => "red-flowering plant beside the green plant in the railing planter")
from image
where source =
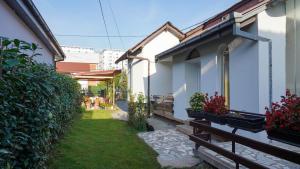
[(215, 104)]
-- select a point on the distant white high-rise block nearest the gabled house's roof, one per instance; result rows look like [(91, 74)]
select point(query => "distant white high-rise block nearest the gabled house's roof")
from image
[(108, 58)]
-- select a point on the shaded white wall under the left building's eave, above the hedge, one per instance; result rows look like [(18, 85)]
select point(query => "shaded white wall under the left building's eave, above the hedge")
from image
[(14, 28)]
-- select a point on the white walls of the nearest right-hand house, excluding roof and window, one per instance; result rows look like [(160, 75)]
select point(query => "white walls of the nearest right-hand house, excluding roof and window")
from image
[(248, 67)]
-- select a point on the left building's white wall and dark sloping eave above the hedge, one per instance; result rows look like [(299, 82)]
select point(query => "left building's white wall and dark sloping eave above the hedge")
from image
[(21, 20)]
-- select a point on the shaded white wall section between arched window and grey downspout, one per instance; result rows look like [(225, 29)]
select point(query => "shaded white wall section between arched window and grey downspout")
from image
[(244, 73)]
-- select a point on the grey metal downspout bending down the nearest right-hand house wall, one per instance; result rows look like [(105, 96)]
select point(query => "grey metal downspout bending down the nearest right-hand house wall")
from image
[(238, 32)]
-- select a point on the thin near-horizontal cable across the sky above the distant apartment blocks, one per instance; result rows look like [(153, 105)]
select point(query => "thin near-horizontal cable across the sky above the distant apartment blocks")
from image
[(100, 36)]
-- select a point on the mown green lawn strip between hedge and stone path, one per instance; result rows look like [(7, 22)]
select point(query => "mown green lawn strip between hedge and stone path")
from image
[(96, 141)]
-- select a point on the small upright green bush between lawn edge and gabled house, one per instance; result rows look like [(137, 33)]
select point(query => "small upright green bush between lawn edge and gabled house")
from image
[(137, 116)]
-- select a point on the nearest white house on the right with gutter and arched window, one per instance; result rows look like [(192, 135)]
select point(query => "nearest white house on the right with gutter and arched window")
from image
[(249, 53)]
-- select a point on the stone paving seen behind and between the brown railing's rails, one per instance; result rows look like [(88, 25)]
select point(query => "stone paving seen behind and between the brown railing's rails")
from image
[(262, 158)]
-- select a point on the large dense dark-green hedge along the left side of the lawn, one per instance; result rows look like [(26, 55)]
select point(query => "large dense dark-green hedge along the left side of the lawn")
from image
[(36, 106)]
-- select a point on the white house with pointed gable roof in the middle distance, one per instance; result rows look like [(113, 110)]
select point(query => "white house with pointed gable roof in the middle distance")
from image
[(143, 53)]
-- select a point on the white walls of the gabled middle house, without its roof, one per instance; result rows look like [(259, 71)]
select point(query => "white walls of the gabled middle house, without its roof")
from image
[(160, 73)]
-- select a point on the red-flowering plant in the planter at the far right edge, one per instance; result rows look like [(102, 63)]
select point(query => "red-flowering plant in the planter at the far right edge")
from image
[(285, 114)]
